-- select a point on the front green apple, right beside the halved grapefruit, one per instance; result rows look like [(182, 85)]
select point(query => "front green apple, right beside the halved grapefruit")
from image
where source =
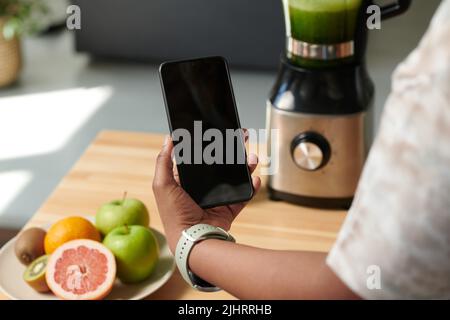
[(136, 251)]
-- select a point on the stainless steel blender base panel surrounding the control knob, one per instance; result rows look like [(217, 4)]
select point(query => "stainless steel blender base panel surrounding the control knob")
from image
[(334, 182)]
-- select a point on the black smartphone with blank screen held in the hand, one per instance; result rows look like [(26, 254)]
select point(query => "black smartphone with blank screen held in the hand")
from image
[(209, 142)]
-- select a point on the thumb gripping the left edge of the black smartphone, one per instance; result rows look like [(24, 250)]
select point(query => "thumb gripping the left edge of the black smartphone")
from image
[(164, 166)]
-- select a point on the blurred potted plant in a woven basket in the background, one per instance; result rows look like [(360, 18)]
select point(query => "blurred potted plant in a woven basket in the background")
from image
[(17, 17)]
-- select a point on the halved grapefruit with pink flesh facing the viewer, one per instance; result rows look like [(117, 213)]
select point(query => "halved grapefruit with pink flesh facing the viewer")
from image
[(81, 270)]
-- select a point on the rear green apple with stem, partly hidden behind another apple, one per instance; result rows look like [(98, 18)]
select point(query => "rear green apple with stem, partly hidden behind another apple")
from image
[(120, 213)]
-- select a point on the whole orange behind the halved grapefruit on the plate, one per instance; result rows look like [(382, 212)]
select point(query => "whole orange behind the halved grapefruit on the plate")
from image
[(68, 229)]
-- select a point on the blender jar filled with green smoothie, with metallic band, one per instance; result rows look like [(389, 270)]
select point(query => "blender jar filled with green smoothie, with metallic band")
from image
[(321, 32)]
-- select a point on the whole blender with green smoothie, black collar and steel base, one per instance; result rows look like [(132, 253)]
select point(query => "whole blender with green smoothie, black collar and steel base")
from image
[(322, 100)]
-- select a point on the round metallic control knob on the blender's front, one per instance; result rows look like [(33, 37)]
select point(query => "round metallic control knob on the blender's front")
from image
[(310, 151)]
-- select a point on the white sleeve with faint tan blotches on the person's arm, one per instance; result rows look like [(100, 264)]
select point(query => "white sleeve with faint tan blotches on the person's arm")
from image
[(395, 241)]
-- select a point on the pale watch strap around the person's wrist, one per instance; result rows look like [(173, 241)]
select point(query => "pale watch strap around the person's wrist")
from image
[(187, 241)]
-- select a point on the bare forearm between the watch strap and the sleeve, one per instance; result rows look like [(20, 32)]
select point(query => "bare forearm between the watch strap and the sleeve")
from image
[(253, 273)]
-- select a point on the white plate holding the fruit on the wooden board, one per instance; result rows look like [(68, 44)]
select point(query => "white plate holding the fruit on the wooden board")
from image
[(12, 285)]
